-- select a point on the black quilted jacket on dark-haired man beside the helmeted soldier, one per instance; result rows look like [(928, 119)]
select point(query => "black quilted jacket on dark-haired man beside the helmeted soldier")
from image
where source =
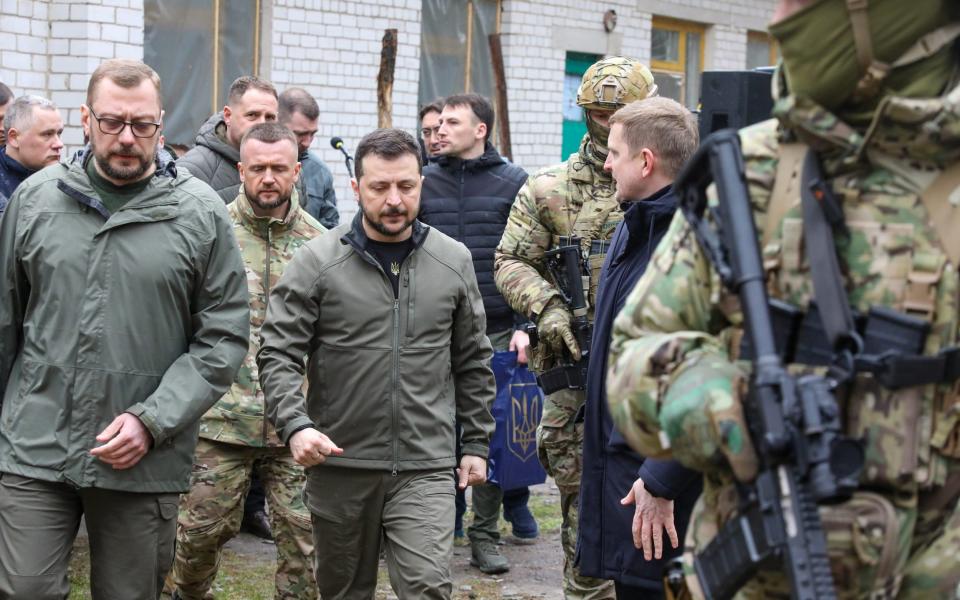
[(470, 200)]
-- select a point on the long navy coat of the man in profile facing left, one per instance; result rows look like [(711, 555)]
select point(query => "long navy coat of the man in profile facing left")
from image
[(605, 543)]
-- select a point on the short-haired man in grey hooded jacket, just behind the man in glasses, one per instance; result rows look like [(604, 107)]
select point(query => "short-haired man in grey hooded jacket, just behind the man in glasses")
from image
[(214, 158)]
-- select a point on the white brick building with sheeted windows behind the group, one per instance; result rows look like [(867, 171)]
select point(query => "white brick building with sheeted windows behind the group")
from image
[(332, 48)]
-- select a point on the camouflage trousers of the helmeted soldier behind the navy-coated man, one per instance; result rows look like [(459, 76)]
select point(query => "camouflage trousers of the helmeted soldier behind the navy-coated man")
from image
[(560, 449)]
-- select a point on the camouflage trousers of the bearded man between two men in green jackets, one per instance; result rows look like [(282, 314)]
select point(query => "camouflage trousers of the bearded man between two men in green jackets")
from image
[(210, 515)]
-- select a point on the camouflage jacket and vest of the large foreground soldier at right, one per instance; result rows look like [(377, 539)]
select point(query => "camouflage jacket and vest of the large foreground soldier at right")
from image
[(673, 385)]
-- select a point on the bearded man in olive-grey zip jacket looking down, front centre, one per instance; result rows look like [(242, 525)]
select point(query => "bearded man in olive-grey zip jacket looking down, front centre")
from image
[(386, 317)]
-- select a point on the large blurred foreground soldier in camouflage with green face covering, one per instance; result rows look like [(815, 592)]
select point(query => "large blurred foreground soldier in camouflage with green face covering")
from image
[(889, 145)]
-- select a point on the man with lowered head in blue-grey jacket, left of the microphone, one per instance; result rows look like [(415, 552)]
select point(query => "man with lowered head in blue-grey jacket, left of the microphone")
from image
[(300, 113)]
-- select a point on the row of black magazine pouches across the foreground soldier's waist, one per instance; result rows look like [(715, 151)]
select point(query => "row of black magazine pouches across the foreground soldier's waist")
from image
[(891, 346)]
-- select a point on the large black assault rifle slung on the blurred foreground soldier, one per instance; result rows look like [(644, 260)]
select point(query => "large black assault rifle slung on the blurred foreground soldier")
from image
[(794, 422)]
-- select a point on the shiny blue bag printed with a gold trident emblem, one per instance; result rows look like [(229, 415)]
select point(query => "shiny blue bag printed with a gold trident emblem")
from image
[(516, 410)]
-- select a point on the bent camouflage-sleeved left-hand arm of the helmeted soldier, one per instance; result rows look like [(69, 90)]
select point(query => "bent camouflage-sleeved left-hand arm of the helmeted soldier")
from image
[(518, 261)]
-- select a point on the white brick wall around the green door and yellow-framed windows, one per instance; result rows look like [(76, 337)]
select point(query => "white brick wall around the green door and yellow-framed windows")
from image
[(539, 33)]
